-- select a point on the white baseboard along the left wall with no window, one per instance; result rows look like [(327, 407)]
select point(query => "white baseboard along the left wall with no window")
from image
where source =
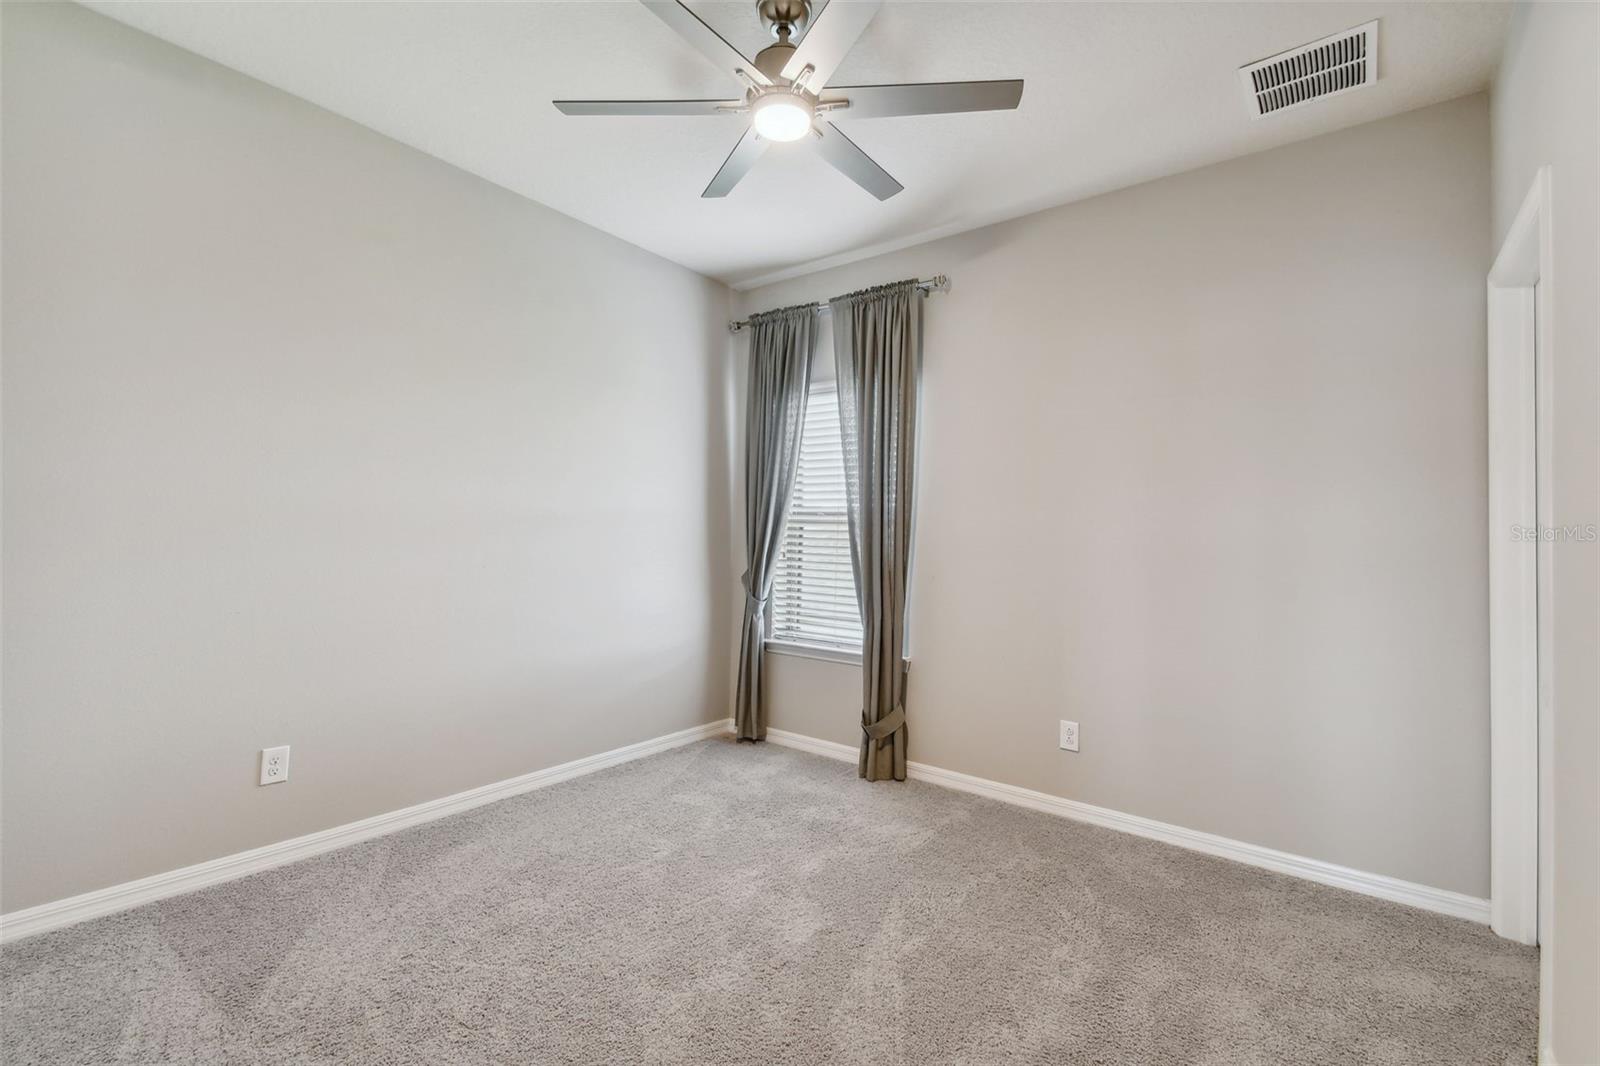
[(134, 894)]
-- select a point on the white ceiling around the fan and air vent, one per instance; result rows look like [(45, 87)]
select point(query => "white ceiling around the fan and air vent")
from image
[(1118, 94)]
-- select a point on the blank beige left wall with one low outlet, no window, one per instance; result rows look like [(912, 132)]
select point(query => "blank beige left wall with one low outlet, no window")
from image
[(316, 441)]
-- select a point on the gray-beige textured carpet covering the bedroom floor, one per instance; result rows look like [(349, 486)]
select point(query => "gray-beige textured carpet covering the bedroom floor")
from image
[(754, 905)]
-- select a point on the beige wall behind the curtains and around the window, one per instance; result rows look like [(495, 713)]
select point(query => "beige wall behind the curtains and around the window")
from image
[(1204, 470)]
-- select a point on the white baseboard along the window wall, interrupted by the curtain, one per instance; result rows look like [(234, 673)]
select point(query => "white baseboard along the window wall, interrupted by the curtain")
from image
[(1412, 894)]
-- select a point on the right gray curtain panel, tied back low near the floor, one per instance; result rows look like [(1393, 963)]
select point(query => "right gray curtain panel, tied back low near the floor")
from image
[(878, 351)]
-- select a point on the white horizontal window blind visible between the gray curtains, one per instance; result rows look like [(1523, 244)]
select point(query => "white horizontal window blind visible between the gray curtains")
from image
[(815, 591)]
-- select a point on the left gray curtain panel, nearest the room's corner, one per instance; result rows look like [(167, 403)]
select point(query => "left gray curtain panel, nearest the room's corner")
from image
[(782, 348)]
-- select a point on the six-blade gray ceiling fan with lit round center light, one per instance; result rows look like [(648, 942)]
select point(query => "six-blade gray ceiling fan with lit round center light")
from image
[(788, 97)]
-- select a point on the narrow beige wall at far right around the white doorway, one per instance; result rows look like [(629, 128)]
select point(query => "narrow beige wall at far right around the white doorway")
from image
[(1548, 113)]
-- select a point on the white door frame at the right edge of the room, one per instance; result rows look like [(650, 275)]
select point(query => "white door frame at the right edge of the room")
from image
[(1519, 404)]
